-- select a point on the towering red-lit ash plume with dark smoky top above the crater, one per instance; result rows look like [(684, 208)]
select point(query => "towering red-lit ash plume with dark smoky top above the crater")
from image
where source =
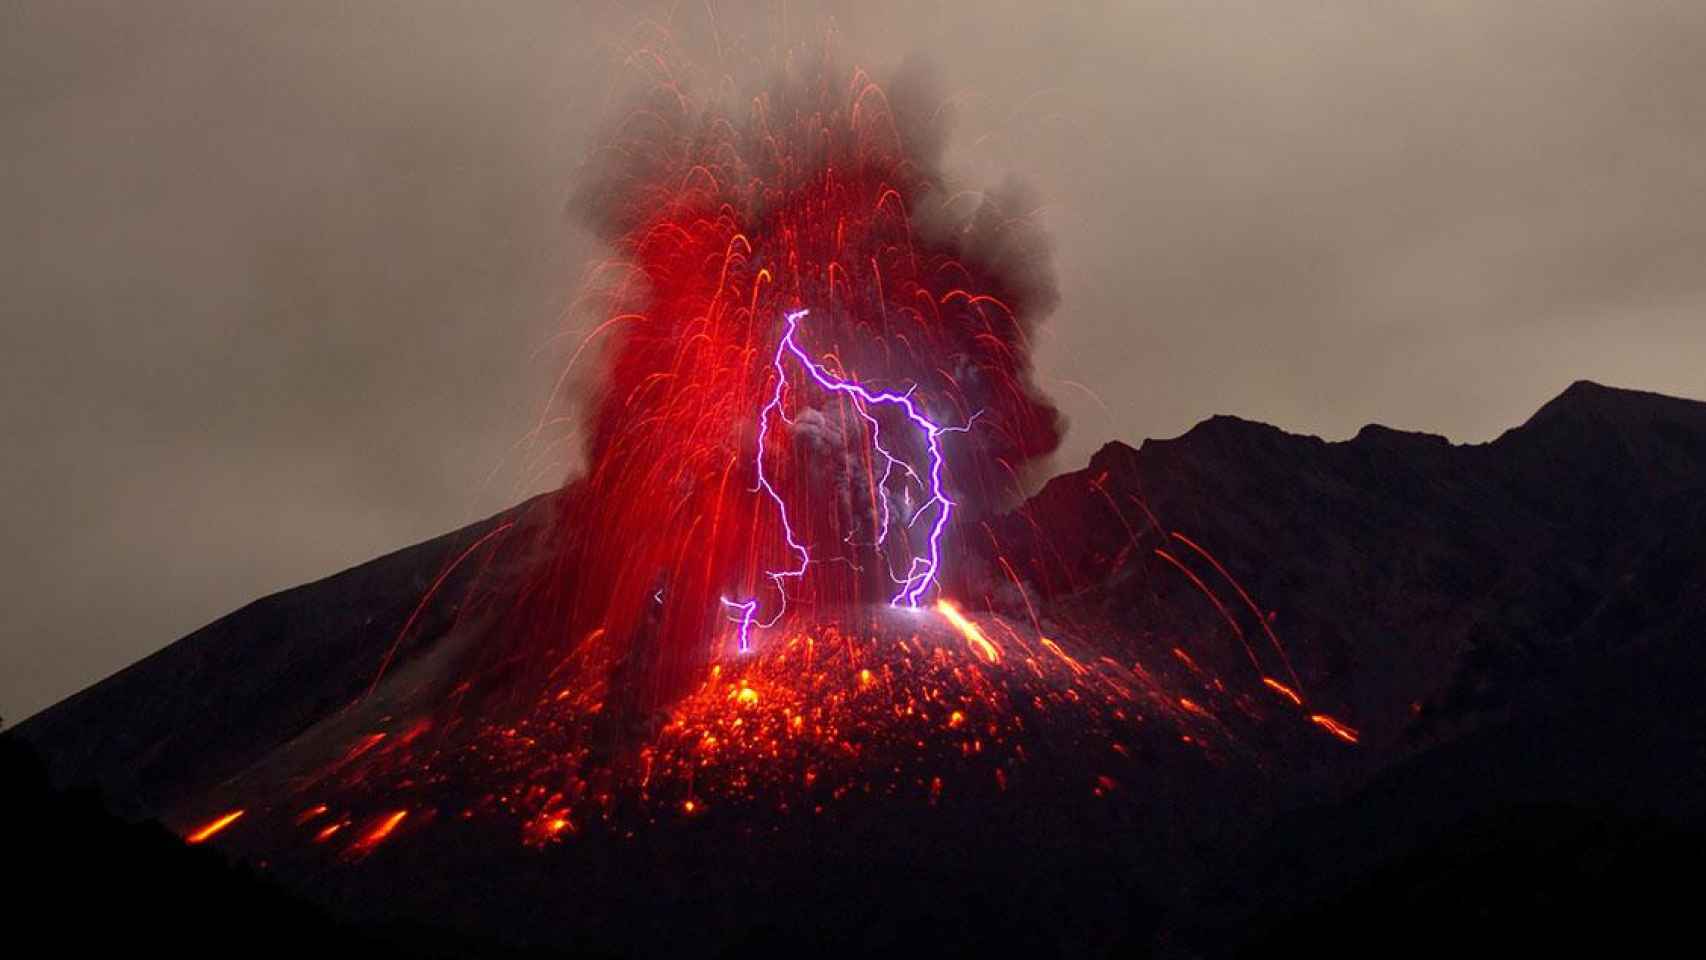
[(825, 192)]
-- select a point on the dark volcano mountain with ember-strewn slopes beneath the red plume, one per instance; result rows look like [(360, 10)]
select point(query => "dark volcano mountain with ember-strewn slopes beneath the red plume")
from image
[(1197, 686)]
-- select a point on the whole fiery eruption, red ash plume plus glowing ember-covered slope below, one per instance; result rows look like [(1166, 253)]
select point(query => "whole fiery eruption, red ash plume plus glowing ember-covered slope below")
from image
[(811, 386)]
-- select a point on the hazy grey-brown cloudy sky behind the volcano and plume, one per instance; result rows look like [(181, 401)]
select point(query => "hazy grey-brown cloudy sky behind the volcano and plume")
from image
[(281, 280)]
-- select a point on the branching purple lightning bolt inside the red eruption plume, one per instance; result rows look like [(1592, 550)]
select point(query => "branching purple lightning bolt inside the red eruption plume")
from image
[(922, 572)]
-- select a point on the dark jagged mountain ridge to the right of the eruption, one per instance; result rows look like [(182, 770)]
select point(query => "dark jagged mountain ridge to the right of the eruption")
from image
[(1422, 584)]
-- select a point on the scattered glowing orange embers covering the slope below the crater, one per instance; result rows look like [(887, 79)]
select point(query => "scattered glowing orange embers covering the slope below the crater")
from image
[(900, 707)]
